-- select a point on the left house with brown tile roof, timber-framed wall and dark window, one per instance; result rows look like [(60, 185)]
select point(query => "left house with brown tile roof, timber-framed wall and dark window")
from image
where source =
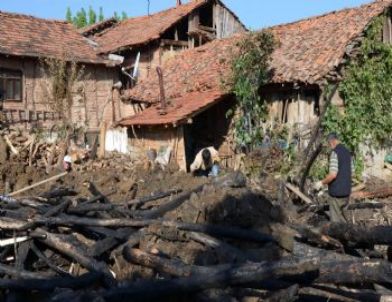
[(24, 42)]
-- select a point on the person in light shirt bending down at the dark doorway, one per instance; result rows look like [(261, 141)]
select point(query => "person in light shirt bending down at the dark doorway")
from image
[(206, 163)]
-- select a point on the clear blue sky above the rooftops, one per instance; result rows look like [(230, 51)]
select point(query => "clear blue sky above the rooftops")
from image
[(255, 14)]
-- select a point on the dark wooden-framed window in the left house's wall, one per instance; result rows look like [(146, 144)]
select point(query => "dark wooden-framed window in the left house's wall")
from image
[(11, 77)]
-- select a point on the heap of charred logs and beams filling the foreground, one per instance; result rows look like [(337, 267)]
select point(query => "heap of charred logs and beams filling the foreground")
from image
[(220, 241)]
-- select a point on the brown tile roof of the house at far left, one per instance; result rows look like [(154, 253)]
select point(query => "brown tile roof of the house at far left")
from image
[(22, 35)]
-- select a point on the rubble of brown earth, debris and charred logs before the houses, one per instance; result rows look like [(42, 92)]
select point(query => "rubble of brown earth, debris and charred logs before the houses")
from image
[(114, 230)]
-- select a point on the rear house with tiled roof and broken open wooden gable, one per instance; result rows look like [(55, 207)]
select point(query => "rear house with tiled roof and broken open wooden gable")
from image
[(159, 36)]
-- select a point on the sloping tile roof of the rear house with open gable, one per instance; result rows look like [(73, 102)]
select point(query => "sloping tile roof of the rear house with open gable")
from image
[(142, 30)]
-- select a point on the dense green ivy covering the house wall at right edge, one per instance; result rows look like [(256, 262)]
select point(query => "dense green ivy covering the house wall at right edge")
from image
[(367, 92)]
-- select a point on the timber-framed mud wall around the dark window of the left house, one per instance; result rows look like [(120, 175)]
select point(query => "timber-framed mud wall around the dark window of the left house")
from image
[(93, 100)]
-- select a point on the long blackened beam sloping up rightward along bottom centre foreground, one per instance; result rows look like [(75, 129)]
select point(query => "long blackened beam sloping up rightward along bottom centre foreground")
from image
[(220, 277)]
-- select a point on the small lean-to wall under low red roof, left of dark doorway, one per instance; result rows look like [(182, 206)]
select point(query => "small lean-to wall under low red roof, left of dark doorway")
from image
[(146, 138)]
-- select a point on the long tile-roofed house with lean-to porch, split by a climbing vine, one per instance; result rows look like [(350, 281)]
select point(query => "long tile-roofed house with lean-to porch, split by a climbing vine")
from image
[(311, 53)]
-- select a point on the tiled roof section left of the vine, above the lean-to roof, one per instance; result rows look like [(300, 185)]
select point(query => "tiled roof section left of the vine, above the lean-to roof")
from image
[(197, 70)]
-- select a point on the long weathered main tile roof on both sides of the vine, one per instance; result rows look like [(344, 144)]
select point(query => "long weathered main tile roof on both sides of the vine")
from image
[(309, 49)]
